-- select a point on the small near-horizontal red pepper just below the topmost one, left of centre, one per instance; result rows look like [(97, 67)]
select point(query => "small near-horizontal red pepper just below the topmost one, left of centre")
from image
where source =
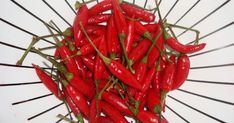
[(99, 18)]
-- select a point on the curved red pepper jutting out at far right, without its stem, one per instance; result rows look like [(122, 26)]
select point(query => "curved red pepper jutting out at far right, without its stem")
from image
[(176, 45)]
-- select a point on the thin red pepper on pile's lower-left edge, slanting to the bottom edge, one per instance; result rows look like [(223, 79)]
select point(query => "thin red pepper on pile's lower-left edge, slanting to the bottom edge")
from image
[(73, 107)]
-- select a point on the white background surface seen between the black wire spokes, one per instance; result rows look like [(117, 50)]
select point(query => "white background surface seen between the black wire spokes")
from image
[(12, 13)]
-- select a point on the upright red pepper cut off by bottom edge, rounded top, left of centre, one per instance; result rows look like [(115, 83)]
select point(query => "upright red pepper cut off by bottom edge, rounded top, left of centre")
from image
[(95, 110)]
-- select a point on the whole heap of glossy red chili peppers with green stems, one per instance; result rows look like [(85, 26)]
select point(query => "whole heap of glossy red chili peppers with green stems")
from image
[(109, 66)]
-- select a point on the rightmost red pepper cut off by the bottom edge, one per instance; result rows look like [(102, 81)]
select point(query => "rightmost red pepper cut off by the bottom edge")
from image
[(148, 117)]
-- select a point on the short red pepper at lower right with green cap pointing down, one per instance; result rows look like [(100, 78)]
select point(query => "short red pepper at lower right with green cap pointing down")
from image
[(153, 101)]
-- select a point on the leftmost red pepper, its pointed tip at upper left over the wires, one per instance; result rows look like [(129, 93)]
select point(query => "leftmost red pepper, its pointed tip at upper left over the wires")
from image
[(48, 82)]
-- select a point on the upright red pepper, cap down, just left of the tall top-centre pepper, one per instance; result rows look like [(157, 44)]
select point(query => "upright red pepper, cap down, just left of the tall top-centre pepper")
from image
[(113, 45)]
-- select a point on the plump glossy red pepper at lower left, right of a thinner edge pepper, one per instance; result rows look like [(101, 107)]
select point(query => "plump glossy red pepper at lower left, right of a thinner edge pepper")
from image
[(78, 99)]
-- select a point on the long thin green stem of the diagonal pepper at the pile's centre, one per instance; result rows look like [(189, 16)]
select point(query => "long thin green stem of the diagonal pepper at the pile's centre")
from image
[(104, 58)]
